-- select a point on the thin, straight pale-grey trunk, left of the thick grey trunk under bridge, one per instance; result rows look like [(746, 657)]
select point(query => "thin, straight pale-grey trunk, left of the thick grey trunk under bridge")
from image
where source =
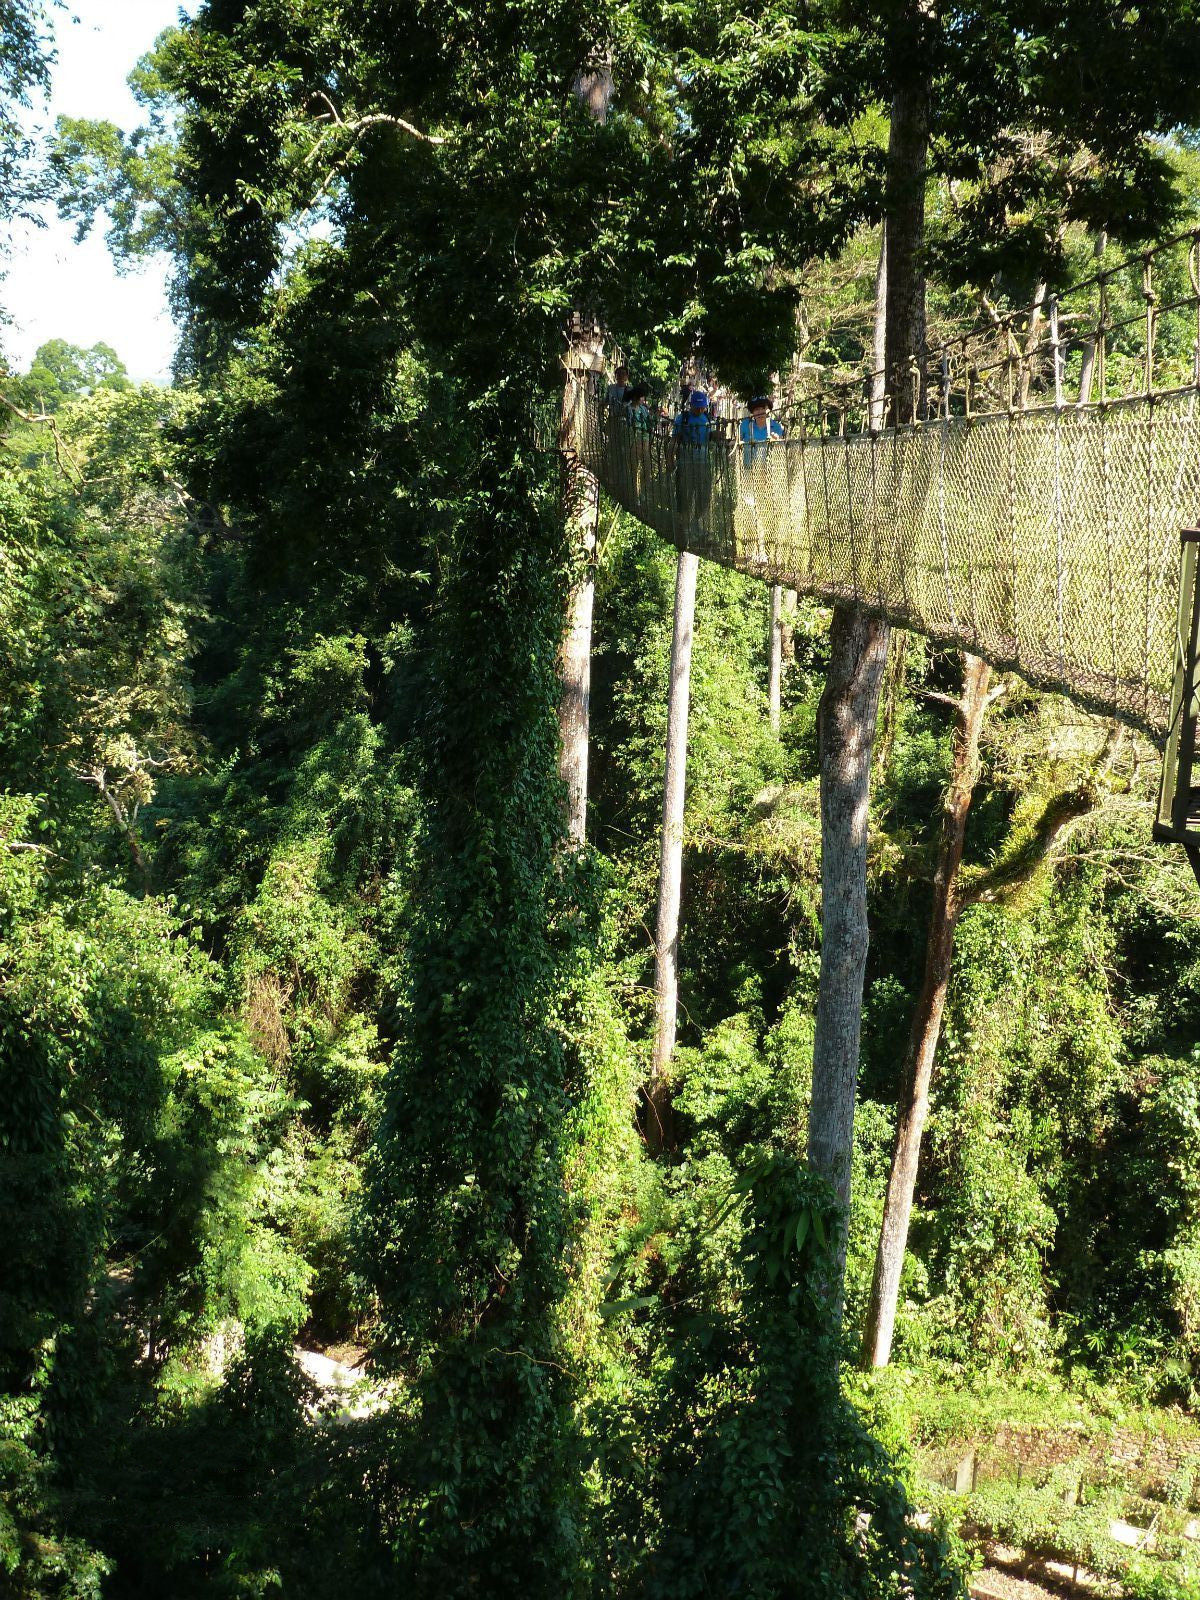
[(671, 854)]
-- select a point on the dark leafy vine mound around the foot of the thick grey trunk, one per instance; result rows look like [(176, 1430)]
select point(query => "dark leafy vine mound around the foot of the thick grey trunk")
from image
[(743, 1407)]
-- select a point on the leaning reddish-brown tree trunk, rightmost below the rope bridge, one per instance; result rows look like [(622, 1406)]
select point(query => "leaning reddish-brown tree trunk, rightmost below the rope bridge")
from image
[(927, 1018)]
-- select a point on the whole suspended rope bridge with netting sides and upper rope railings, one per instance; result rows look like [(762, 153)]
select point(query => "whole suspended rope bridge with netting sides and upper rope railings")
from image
[(1031, 516)]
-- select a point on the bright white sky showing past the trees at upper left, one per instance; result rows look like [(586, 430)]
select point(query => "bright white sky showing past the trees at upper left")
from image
[(54, 287)]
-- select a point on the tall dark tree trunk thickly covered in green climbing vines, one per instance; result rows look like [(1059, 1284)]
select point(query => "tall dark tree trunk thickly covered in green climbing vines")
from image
[(470, 1228)]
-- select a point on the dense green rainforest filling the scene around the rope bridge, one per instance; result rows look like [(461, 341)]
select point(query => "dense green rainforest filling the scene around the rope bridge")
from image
[(326, 1042)]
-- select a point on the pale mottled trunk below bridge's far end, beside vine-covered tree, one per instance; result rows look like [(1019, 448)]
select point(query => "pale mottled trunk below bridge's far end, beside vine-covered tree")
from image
[(583, 500)]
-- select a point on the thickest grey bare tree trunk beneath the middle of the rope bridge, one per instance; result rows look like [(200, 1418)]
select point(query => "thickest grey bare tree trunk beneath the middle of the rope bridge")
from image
[(858, 652)]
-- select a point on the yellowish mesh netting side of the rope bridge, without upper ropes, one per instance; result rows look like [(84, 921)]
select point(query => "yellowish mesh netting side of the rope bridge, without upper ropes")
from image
[(1046, 542)]
